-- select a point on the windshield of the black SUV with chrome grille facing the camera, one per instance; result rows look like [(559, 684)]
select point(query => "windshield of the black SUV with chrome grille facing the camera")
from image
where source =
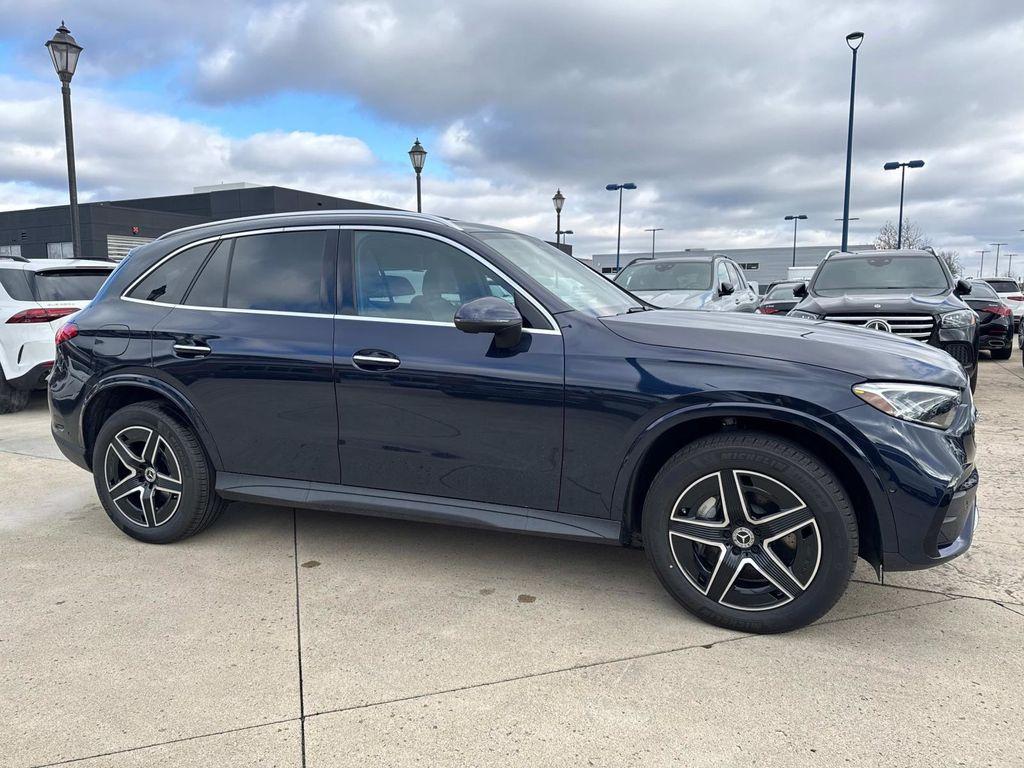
[(907, 273)]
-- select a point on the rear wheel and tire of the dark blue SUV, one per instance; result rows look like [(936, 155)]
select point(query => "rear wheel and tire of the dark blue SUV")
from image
[(153, 476)]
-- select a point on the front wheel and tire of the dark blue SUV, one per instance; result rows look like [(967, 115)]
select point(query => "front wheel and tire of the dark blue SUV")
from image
[(809, 567)]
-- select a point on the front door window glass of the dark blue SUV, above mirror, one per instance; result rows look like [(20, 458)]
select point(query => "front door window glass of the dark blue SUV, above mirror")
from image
[(409, 277)]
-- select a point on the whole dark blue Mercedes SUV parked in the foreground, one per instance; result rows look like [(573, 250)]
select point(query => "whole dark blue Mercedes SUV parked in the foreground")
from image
[(408, 366)]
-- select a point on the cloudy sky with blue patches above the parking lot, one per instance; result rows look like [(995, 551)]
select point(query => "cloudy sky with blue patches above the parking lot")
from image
[(728, 115)]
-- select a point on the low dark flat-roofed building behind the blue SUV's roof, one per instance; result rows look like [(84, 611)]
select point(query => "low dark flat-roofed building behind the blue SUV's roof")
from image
[(111, 230)]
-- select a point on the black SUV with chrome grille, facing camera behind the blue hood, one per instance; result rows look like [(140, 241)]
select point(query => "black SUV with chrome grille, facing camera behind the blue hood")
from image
[(909, 293)]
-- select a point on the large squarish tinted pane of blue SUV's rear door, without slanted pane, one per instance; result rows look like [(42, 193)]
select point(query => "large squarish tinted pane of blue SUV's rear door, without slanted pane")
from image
[(283, 272)]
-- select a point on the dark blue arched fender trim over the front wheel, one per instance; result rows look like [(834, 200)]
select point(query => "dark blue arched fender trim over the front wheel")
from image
[(634, 458)]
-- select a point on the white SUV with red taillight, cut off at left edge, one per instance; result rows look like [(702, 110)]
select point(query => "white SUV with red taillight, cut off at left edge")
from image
[(36, 298)]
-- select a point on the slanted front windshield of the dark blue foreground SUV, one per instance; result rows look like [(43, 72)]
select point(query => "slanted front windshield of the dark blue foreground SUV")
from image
[(577, 285)]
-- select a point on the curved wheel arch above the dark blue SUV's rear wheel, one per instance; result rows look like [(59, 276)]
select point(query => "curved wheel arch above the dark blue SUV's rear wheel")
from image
[(115, 393)]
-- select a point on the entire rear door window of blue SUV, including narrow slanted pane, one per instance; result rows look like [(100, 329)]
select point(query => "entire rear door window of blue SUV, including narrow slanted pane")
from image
[(280, 272)]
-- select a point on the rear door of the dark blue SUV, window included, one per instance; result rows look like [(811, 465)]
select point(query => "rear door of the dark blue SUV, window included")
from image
[(251, 345)]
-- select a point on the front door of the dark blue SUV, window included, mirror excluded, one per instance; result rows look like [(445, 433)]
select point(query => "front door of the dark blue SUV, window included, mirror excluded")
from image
[(428, 409)]
